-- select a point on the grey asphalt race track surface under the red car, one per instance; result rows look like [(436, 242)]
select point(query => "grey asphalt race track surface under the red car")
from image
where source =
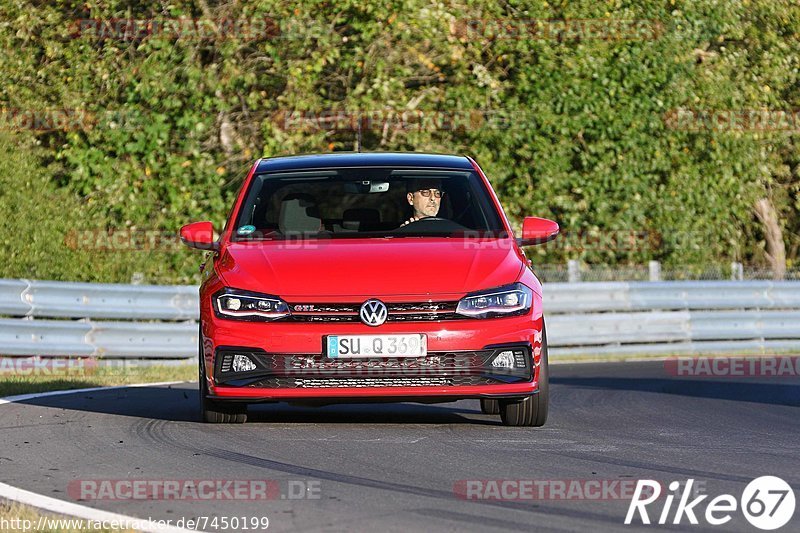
[(398, 467)]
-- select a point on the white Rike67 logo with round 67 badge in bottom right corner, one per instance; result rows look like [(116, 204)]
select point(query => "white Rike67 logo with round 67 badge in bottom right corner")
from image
[(767, 503)]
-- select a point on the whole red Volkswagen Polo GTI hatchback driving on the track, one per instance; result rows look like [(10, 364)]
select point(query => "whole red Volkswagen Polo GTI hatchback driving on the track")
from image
[(363, 277)]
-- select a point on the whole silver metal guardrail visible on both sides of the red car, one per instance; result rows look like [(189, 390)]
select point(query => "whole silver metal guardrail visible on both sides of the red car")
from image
[(582, 318)]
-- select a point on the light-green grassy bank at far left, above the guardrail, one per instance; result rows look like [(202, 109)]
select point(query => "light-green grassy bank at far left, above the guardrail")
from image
[(53, 233)]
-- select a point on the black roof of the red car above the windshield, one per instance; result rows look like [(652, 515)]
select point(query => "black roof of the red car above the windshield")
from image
[(359, 159)]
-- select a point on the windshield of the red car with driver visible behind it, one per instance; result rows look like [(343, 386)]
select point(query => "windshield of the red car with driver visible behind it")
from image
[(367, 202)]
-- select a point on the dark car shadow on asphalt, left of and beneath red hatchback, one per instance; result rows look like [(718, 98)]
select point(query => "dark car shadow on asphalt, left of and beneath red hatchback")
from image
[(180, 403)]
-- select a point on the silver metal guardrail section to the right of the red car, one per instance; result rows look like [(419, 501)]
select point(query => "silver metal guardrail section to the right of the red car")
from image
[(672, 317)]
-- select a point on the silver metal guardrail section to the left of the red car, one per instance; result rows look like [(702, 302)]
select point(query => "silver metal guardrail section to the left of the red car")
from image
[(103, 337)]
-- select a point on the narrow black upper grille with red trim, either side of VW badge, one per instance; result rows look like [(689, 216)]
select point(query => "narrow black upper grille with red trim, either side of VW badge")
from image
[(397, 312)]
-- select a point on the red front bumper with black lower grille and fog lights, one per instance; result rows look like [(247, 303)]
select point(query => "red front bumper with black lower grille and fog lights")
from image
[(291, 364)]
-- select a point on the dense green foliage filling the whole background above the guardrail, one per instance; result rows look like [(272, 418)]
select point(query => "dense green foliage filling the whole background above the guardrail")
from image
[(572, 129)]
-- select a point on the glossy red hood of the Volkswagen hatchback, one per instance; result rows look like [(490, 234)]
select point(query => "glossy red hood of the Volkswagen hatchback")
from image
[(369, 268)]
